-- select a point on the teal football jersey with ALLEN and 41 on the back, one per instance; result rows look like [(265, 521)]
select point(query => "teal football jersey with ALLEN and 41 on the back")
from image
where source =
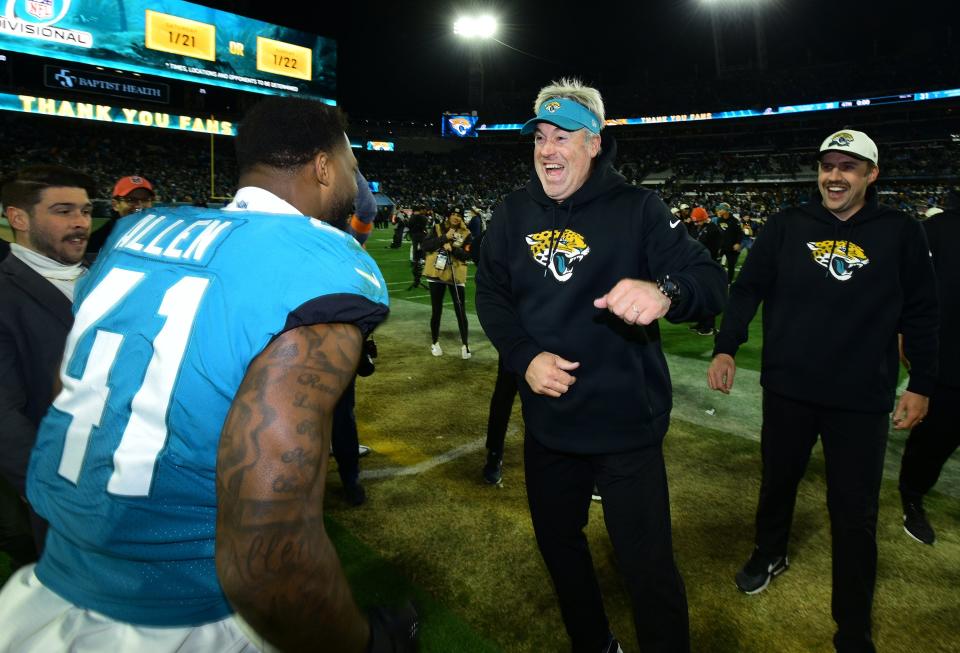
[(167, 321)]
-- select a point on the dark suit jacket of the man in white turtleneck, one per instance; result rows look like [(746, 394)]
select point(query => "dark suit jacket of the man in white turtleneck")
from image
[(35, 318)]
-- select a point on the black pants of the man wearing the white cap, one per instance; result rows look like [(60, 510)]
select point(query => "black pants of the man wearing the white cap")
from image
[(853, 448)]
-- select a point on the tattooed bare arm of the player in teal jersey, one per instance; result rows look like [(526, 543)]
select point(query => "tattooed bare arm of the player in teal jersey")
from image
[(275, 562)]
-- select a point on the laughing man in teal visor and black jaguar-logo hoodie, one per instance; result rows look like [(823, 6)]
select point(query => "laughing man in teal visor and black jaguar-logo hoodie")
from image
[(574, 272)]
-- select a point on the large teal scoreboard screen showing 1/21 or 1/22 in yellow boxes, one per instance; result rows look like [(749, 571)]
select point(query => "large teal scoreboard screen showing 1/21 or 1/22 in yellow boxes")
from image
[(175, 39)]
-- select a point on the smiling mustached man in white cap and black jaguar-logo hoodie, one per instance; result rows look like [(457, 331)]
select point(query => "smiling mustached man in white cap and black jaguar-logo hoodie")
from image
[(838, 280)]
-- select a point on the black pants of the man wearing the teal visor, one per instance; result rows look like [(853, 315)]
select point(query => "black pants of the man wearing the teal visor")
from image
[(636, 507)]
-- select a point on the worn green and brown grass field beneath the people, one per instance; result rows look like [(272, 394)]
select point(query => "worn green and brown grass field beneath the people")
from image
[(434, 531)]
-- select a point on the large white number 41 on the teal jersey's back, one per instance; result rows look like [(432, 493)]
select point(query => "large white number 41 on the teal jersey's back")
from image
[(85, 398)]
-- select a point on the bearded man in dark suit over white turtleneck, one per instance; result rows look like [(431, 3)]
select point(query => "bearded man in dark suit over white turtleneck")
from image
[(48, 208)]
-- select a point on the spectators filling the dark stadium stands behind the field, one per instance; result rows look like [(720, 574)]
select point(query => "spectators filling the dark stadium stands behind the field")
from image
[(754, 177)]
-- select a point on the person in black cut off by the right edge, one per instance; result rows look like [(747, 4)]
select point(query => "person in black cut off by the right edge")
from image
[(930, 444)]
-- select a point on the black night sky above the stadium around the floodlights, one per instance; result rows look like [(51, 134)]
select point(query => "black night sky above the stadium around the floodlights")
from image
[(401, 60)]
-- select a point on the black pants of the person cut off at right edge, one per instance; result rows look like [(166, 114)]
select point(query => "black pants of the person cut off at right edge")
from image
[(930, 444)]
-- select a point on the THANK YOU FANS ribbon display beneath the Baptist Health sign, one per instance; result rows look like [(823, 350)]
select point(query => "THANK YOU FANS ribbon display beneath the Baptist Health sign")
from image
[(119, 115)]
